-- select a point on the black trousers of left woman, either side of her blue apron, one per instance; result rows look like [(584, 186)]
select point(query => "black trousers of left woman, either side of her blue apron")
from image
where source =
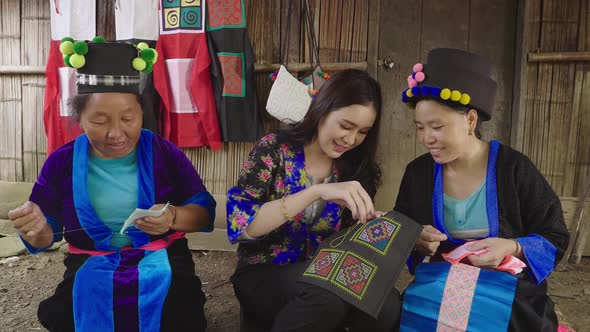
[(183, 307)]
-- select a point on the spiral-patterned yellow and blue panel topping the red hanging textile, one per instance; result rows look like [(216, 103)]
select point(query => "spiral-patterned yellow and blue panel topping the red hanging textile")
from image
[(182, 16)]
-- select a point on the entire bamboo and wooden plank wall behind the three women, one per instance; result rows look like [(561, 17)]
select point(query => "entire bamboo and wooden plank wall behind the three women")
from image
[(550, 123)]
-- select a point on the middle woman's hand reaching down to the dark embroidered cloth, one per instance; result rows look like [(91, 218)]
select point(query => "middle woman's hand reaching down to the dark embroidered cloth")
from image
[(351, 195)]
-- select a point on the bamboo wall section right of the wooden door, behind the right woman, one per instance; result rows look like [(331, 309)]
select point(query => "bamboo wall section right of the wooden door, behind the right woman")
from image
[(552, 125)]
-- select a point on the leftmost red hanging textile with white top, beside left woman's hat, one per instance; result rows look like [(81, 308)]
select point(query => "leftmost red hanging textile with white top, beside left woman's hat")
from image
[(69, 18)]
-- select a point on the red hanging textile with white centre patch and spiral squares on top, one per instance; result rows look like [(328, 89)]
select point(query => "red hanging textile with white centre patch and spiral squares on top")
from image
[(188, 115)]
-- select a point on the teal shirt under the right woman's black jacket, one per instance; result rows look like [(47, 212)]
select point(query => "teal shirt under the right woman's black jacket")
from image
[(467, 218)]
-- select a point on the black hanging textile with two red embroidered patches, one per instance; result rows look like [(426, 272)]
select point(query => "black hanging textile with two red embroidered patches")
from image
[(232, 71)]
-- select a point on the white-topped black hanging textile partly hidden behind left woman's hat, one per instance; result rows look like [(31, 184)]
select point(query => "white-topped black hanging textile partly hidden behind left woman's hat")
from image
[(137, 21)]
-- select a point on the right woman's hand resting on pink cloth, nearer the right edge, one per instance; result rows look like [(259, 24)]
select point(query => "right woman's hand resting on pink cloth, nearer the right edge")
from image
[(497, 248)]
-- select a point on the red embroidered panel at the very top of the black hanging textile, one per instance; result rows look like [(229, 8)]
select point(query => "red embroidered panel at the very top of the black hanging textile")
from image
[(226, 14)]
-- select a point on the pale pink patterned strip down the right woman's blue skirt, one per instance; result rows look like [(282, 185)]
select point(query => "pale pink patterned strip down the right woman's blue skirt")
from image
[(455, 307)]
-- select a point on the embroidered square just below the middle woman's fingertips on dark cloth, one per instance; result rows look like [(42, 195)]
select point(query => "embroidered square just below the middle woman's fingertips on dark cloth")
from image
[(378, 235)]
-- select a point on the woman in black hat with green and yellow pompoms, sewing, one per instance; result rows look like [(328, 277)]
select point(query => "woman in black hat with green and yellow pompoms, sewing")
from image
[(142, 278)]
